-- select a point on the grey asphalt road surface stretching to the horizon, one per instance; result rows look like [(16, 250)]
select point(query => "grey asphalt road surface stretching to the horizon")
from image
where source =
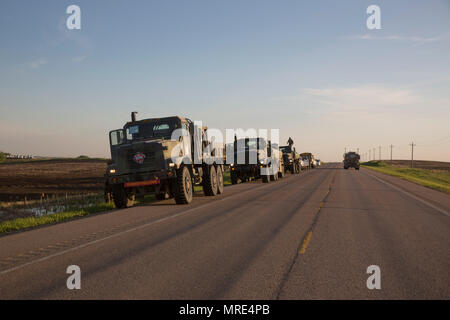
[(307, 236)]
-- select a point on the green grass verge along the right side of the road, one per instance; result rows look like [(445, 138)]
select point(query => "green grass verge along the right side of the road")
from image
[(438, 180)]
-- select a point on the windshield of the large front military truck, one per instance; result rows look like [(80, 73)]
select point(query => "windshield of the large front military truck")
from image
[(151, 129)]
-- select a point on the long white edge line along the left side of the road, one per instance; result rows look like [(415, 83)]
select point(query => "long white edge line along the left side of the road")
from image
[(128, 231)]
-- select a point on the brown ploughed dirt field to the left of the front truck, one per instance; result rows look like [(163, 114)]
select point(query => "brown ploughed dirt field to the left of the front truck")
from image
[(33, 178)]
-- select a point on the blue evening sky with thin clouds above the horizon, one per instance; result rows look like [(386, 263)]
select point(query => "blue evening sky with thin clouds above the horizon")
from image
[(310, 68)]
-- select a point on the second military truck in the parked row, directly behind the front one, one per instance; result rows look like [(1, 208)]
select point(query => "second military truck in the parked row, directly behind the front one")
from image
[(250, 156)]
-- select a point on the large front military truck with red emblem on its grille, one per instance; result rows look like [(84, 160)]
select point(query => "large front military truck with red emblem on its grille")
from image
[(146, 159)]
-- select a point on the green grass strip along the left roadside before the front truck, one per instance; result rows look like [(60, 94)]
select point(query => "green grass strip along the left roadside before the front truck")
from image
[(31, 222)]
